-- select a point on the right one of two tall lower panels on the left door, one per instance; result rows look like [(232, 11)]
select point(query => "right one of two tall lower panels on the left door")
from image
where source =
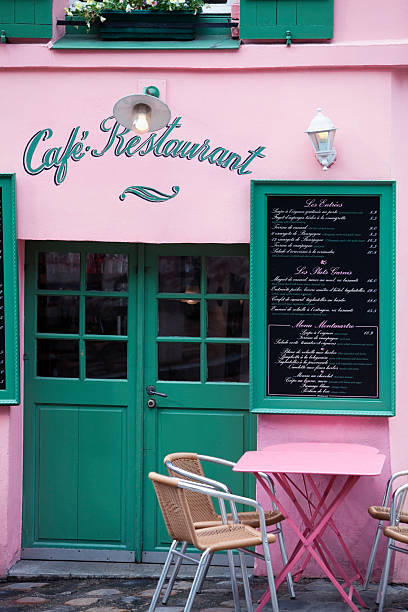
[(101, 473)]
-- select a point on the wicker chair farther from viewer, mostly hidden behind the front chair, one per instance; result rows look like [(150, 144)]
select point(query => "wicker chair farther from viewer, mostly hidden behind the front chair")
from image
[(189, 466)]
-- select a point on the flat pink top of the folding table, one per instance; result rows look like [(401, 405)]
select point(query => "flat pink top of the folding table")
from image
[(314, 458)]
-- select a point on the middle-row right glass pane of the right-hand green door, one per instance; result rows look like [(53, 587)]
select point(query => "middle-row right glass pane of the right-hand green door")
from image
[(228, 318)]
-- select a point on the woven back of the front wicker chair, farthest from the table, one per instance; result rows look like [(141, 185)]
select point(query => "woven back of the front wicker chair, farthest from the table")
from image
[(175, 508)]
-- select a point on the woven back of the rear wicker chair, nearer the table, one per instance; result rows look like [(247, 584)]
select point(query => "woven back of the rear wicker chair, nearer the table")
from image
[(201, 506)]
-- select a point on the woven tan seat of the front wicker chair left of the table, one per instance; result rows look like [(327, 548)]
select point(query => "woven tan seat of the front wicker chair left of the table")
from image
[(224, 537)]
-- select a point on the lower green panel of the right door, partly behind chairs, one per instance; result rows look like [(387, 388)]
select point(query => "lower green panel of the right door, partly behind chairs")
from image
[(208, 432)]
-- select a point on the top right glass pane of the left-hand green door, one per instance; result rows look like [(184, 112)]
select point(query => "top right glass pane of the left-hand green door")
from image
[(106, 272)]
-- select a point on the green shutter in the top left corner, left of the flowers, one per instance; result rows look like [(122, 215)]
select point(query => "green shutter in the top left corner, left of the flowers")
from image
[(26, 18)]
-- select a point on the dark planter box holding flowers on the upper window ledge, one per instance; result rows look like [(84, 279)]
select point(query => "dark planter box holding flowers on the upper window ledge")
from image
[(148, 25)]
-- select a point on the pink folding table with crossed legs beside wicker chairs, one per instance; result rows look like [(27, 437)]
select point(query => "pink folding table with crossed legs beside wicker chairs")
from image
[(343, 464)]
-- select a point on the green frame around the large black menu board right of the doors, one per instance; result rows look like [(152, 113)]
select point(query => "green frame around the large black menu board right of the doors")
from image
[(262, 401)]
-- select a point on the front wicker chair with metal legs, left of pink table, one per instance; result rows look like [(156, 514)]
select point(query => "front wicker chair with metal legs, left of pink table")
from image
[(176, 509)]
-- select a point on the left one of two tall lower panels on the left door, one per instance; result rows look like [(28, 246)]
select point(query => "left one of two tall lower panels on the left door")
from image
[(57, 472)]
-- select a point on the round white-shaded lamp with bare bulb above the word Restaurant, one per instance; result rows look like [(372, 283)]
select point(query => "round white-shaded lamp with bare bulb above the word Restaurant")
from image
[(142, 112)]
